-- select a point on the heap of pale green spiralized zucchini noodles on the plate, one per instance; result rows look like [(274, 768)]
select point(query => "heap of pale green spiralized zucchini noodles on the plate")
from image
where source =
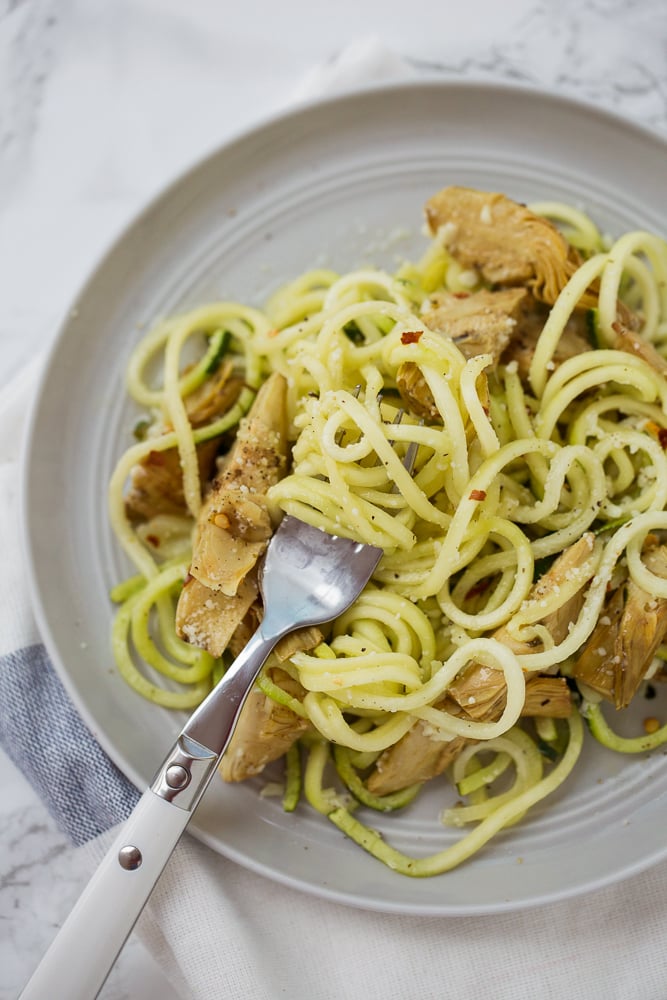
[(522, 458)]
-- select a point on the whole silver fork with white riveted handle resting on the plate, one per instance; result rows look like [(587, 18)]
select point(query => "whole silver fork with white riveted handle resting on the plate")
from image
[(308, 577)]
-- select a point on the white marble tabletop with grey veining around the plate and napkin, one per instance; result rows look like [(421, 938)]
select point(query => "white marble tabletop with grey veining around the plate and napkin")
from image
[(101, 103)]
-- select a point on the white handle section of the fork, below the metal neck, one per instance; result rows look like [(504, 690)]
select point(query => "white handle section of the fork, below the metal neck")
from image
[(81, 956)]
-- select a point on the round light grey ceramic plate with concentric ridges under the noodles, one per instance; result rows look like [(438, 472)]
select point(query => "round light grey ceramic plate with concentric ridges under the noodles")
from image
[(340, 183)]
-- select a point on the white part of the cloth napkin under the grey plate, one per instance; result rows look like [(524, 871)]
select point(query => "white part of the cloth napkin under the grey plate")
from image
[(220, 931)]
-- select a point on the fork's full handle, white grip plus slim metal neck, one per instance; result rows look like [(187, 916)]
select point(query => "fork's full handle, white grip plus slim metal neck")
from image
[(81, 956)]
